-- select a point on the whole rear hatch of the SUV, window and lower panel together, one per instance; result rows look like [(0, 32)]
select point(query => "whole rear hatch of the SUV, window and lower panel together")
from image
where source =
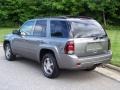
[(89, 37)]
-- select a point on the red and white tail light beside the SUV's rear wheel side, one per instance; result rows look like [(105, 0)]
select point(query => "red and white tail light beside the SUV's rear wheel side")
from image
[(69, 48)]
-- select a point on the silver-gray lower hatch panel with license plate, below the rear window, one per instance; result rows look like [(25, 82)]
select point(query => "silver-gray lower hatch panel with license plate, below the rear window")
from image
[(89, 46)]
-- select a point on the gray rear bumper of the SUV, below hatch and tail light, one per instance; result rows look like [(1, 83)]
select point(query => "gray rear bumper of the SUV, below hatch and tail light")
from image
[(74, 62)]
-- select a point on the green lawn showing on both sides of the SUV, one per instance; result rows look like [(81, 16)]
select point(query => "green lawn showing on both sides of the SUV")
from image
[(113, 33)]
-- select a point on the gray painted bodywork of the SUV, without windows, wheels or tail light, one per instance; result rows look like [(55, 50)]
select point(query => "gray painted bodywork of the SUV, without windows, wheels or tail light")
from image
[(30, 47)]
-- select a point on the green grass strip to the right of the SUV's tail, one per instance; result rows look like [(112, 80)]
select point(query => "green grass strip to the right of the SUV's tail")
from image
[(114, 35)]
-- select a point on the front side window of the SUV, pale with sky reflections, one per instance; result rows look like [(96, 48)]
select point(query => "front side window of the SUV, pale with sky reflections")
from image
[(27, 28)]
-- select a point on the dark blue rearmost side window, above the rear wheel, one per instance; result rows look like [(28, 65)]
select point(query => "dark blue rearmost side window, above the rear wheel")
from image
[(59, 29)]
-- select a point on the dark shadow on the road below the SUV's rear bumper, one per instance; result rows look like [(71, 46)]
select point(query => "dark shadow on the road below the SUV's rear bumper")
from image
[(80, 75)]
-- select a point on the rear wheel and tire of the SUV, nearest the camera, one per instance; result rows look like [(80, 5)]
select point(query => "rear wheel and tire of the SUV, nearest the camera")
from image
[(49, 66)]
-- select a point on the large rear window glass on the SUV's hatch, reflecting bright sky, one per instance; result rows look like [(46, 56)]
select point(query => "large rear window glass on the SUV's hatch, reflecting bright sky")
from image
[(86, 28)]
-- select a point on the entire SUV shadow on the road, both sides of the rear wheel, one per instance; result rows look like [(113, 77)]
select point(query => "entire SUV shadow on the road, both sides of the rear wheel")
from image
[(65, 75)]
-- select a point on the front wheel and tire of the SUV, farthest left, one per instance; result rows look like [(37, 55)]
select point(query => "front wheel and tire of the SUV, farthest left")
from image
[(8, 53)]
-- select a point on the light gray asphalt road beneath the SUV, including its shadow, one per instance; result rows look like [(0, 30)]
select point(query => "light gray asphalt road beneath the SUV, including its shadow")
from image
[(24, 74)]
